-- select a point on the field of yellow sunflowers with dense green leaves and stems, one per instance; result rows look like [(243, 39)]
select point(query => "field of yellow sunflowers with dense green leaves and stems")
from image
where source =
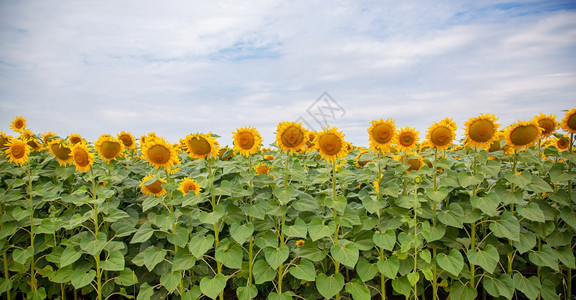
[(491, 216)]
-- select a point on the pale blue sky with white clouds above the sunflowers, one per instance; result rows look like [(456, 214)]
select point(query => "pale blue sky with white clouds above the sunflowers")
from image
[(180, 67)]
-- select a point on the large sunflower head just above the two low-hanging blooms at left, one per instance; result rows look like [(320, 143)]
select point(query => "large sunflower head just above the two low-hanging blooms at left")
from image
[(159, 153)]
